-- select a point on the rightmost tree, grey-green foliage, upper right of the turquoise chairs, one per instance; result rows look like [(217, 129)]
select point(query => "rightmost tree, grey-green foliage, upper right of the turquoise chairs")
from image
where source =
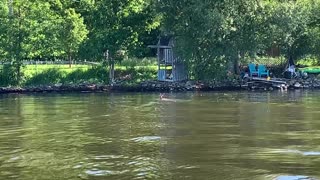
[(288, 24)]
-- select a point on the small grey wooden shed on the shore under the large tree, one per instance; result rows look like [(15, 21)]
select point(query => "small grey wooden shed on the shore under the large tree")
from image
[(170, 67)]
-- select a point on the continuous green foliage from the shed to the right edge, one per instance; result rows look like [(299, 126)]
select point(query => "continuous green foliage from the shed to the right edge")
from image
[(208, 31)]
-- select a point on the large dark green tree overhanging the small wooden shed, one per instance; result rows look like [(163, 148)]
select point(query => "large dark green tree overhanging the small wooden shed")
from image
[(212, 34)]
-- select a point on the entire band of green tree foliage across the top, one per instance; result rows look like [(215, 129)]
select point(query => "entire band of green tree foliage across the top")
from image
[(212, 37)]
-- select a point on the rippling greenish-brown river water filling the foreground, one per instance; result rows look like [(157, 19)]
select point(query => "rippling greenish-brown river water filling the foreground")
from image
[(220, 135)]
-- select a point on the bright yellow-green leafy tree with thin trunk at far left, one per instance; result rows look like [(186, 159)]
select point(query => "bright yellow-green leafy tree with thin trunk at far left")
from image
[(39, 29)]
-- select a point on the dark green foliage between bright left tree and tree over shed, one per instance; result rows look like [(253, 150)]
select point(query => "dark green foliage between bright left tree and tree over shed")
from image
[(118, 25)]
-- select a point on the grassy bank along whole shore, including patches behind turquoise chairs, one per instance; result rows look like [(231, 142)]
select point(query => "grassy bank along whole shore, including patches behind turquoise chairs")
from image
[(130, 71)]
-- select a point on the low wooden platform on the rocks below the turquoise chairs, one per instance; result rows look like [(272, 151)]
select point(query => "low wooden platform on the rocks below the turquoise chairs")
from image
[(264, 83)]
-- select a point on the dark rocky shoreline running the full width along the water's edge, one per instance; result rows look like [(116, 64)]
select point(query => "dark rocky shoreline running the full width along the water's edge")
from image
[(160, 86)]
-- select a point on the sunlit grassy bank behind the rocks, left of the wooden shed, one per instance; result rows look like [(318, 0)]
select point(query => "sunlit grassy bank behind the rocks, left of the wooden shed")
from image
[(45, 74)]
